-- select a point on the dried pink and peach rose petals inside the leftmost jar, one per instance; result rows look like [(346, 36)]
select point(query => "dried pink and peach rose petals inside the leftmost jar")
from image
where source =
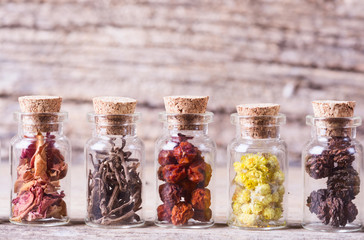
[(41, 166)]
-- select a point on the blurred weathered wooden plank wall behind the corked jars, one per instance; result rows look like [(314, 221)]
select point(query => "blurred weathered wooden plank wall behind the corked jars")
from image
[(235, 51)]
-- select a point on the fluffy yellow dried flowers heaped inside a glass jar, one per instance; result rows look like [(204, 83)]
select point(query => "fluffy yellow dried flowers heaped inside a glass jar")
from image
[(259, 194)]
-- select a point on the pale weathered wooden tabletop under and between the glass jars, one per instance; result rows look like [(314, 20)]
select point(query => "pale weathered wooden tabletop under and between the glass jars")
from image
[(78, 230)]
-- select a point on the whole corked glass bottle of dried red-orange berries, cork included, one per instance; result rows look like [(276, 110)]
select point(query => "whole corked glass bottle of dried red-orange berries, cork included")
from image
[(185, 157)]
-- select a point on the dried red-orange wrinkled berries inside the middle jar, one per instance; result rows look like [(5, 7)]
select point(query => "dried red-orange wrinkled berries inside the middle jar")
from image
[(186, 175)]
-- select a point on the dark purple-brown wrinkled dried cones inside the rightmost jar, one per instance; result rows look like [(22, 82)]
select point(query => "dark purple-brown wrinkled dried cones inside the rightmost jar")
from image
[(334, 205)]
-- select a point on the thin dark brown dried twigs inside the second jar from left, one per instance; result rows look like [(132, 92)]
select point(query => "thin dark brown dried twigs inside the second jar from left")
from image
[(114, 187)]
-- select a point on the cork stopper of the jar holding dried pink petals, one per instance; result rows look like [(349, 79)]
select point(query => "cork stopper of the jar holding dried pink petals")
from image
[(45, 121)]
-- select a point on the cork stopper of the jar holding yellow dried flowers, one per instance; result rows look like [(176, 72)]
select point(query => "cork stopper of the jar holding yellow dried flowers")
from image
[(259, 121)]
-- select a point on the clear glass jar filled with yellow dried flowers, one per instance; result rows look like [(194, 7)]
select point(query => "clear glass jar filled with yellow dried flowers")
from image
[(257, 172)]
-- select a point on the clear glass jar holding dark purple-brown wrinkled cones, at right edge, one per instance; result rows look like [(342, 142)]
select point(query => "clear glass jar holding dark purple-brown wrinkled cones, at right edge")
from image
[(331, 163)]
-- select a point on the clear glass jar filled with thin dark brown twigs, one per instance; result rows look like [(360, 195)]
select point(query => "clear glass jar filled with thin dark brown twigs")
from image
[(114, 161)]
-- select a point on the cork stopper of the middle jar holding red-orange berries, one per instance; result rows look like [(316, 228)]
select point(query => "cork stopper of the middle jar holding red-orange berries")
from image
[(185, 111)]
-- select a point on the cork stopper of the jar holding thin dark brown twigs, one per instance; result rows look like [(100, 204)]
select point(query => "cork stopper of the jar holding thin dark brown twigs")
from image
[(114, 114)]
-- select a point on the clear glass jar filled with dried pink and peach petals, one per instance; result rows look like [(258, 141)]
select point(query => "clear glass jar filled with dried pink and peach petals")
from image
[(40, 156)]
